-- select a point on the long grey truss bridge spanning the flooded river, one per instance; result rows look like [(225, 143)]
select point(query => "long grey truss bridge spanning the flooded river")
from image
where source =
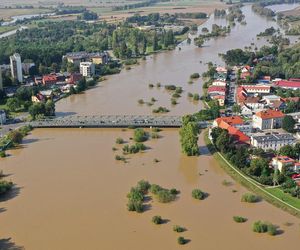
[(111, 121)]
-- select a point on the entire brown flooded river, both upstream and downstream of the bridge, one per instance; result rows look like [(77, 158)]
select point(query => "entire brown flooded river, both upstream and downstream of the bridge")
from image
[(72, 192)]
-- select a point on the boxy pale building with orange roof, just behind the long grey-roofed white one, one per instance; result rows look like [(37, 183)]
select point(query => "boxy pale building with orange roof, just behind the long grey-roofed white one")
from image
[(268, 119)]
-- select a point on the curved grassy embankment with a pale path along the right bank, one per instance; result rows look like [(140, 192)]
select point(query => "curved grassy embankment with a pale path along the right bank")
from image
[(273, 195)]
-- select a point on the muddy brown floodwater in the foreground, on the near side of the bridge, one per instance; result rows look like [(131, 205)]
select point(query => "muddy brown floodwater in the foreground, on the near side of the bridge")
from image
[(73, 196)]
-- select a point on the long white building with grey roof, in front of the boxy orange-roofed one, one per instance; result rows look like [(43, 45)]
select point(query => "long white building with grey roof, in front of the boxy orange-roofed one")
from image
[(272, 141)]
